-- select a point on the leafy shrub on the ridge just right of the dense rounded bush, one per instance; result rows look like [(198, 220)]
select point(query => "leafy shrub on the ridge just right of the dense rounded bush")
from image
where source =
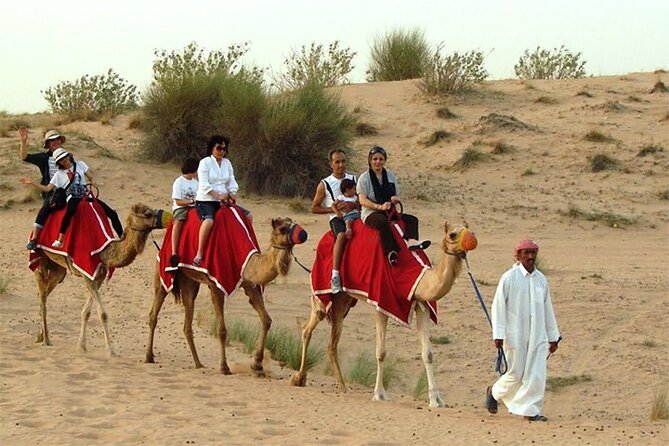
[(454, 73)]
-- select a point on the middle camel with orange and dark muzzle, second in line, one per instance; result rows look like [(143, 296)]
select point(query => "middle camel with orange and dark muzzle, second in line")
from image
[(260, 270)]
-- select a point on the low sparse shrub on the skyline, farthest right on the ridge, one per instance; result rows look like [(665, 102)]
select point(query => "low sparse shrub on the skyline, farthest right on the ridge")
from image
[(560, 63)]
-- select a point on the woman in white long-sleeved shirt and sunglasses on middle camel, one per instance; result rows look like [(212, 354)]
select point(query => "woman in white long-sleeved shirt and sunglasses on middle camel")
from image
[(217, 185)]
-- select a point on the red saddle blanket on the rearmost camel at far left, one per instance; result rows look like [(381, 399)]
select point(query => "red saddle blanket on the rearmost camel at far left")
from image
[(89, 233)]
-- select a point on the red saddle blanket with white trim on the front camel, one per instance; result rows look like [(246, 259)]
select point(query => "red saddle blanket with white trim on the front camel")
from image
[(365, 271)]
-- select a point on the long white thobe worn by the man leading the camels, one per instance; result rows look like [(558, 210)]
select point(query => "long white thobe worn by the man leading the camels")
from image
[(522, 315)]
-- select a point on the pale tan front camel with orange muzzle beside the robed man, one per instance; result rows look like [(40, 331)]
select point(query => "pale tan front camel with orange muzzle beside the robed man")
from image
[(434, 285)]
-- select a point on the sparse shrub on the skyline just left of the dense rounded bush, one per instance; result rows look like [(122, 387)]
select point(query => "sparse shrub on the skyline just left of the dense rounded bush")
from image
[(313, 65)]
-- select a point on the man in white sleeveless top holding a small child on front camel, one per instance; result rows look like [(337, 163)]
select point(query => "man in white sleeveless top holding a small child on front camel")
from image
[(326, 192)]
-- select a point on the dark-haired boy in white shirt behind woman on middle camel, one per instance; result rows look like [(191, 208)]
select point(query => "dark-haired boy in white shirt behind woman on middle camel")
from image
[(184, 191)]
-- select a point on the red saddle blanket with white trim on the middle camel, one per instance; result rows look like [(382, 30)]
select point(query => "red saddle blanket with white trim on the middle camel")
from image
[(230, 245)]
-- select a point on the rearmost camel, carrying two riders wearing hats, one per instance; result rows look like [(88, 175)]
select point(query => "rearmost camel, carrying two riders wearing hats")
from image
[(52, 269)]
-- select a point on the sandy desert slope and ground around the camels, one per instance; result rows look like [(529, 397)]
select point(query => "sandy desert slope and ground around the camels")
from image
[(609, 287)]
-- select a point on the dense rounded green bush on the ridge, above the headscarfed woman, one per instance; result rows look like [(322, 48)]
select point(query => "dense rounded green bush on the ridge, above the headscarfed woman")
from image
[(398, 55)]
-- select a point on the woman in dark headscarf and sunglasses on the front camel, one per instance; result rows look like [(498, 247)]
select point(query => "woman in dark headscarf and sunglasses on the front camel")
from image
[(378, 191)]
